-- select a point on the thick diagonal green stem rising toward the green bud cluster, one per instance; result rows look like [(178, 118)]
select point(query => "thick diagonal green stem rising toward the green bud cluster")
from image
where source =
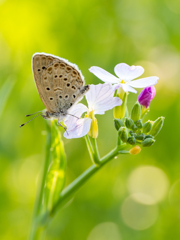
[(81, 180)]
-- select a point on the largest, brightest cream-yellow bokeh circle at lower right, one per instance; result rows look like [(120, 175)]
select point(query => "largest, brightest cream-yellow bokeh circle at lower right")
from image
[(148, 184)]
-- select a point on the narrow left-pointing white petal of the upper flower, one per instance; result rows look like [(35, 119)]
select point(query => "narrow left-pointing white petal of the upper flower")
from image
[(103, 75)]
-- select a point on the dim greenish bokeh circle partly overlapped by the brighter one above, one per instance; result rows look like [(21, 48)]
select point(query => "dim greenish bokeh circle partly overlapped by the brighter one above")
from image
[(138, 216)]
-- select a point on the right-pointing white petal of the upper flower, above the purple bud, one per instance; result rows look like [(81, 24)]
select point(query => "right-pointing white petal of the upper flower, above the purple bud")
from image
[(144, 82)]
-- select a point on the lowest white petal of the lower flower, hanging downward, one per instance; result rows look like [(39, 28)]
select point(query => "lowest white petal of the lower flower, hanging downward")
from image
[(80, 129)]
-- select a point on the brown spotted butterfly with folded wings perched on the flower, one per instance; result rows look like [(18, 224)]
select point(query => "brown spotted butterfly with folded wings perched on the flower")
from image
[(60, 85)]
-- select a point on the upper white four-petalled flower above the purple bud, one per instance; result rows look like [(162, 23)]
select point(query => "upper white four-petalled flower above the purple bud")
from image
[(125, 75)]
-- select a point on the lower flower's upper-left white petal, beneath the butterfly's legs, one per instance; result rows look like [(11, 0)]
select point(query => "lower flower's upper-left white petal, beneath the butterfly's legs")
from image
[(74, 114)]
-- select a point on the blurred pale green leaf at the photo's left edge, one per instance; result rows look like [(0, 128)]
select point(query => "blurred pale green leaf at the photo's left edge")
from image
[(4, 93)]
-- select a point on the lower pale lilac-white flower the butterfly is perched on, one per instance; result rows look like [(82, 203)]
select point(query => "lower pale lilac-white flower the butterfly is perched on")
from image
[(100, 98)]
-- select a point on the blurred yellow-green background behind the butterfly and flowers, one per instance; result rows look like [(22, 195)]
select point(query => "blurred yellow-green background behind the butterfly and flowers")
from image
[(132, 197)]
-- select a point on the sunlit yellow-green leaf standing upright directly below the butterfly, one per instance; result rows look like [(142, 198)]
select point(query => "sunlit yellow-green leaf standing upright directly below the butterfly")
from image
[(56, 174)]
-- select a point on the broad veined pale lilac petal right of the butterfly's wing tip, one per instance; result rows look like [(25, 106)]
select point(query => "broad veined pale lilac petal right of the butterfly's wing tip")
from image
[(100, 98)]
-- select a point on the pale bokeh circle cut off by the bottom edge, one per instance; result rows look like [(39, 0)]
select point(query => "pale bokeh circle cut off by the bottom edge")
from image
[(105, 231)]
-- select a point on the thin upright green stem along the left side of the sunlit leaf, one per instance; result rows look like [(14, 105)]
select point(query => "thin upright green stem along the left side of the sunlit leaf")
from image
[(36, 232)]
